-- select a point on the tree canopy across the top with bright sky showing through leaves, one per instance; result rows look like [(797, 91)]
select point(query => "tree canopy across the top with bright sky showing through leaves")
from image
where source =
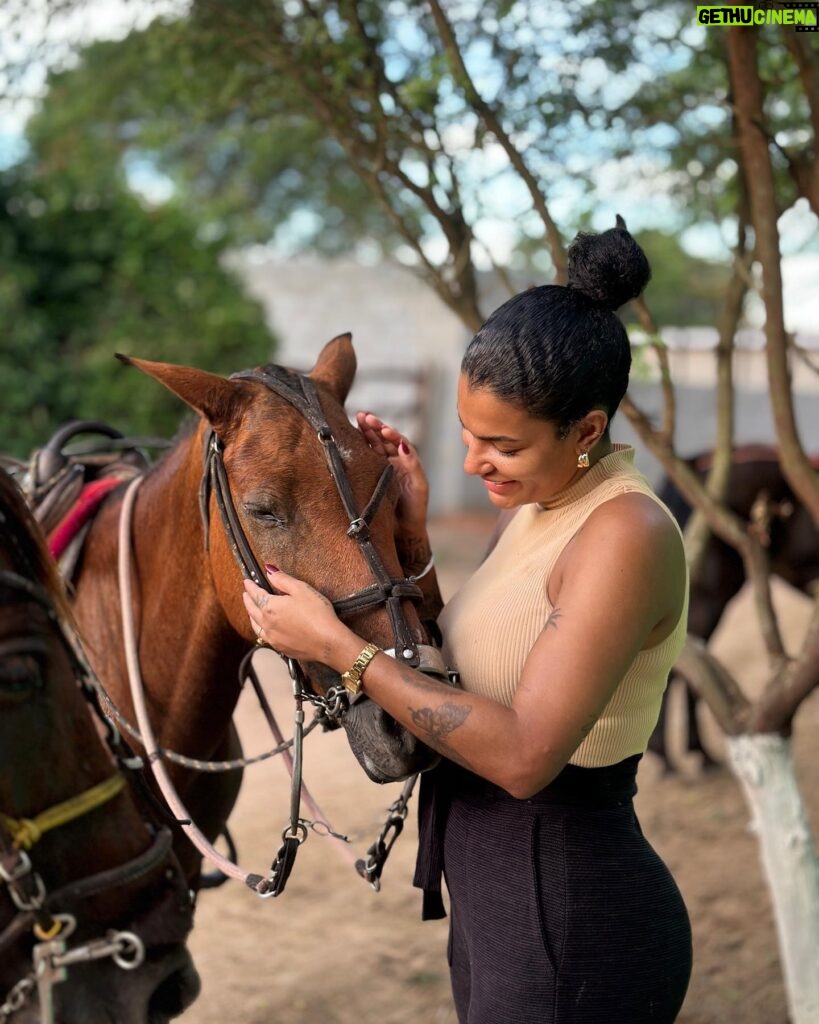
[(329, 124)]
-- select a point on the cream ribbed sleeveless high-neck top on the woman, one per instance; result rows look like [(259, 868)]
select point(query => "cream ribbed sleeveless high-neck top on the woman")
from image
[(491, 625)]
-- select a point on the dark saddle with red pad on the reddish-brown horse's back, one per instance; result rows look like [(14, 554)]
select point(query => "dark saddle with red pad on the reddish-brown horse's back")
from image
[(66, 482)]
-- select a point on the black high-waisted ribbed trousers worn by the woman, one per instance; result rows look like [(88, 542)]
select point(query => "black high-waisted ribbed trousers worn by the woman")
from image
[(562, 911)]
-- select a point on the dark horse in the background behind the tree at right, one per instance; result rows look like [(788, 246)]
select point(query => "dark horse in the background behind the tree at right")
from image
[(793, 549)]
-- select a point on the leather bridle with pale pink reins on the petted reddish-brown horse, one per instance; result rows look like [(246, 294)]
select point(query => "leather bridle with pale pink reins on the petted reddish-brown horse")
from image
[(300, 393)]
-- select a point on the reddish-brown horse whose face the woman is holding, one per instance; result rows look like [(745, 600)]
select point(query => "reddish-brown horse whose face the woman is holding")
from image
[(192, 627)]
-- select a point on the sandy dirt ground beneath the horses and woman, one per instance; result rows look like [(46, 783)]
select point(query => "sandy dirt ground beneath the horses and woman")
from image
[(330, 951)]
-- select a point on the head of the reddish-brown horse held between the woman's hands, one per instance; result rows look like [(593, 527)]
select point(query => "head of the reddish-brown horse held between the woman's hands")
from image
[(305, 489)]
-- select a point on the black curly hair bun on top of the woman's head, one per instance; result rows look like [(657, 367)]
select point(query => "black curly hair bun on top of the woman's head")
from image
[(610, 269)]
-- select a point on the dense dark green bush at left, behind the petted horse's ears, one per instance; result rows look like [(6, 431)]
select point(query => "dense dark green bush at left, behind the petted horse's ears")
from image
[(89, 272)]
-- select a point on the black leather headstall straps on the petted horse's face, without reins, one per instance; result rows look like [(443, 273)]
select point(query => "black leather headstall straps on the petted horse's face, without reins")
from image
[(299, 392)]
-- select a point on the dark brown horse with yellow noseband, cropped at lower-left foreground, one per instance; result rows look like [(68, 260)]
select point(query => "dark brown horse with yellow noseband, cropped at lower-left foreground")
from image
[(82, 875)]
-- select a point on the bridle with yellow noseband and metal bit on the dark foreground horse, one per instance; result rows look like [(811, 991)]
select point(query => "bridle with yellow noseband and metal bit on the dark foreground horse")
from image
[(48, 914)]
